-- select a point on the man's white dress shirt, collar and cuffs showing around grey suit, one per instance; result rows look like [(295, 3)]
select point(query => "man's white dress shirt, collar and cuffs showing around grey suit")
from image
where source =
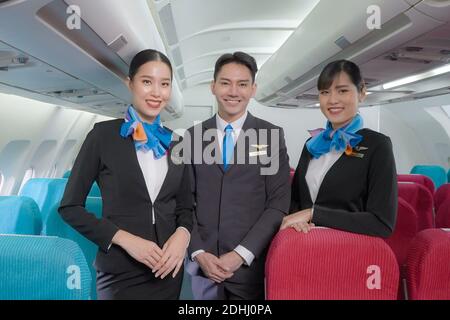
[(246, 254)]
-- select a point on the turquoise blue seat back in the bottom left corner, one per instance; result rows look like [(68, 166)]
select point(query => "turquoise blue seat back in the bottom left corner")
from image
[(43, 268)]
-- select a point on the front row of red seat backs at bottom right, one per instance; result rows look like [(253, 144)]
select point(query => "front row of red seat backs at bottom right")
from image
[(333, 264)]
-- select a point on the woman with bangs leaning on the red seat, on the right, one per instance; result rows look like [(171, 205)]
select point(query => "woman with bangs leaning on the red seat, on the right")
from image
[(346, 176)]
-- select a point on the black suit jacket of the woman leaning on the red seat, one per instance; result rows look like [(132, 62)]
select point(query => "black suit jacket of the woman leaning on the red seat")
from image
[(358, 193)]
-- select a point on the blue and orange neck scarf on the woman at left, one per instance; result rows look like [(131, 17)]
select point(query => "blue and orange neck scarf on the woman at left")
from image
[(146, 136)]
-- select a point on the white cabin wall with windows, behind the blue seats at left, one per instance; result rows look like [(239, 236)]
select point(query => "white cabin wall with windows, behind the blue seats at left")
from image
[(38, 122)]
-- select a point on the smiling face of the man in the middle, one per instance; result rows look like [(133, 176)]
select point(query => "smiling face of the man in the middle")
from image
[(233, 88)]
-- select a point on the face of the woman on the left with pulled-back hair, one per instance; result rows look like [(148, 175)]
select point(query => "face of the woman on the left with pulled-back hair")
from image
[(151, 87)]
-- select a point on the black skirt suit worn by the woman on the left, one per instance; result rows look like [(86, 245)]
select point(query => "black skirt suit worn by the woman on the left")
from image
[(111, 160)]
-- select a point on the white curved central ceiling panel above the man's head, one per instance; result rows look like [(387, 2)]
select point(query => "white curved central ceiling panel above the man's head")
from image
[(197, 32)]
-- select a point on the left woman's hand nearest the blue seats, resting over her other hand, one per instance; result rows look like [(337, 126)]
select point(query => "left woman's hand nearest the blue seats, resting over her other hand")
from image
[(142, 250)]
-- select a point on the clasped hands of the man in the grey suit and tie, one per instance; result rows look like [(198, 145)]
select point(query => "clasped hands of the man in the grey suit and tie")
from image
[(218, 269)]
